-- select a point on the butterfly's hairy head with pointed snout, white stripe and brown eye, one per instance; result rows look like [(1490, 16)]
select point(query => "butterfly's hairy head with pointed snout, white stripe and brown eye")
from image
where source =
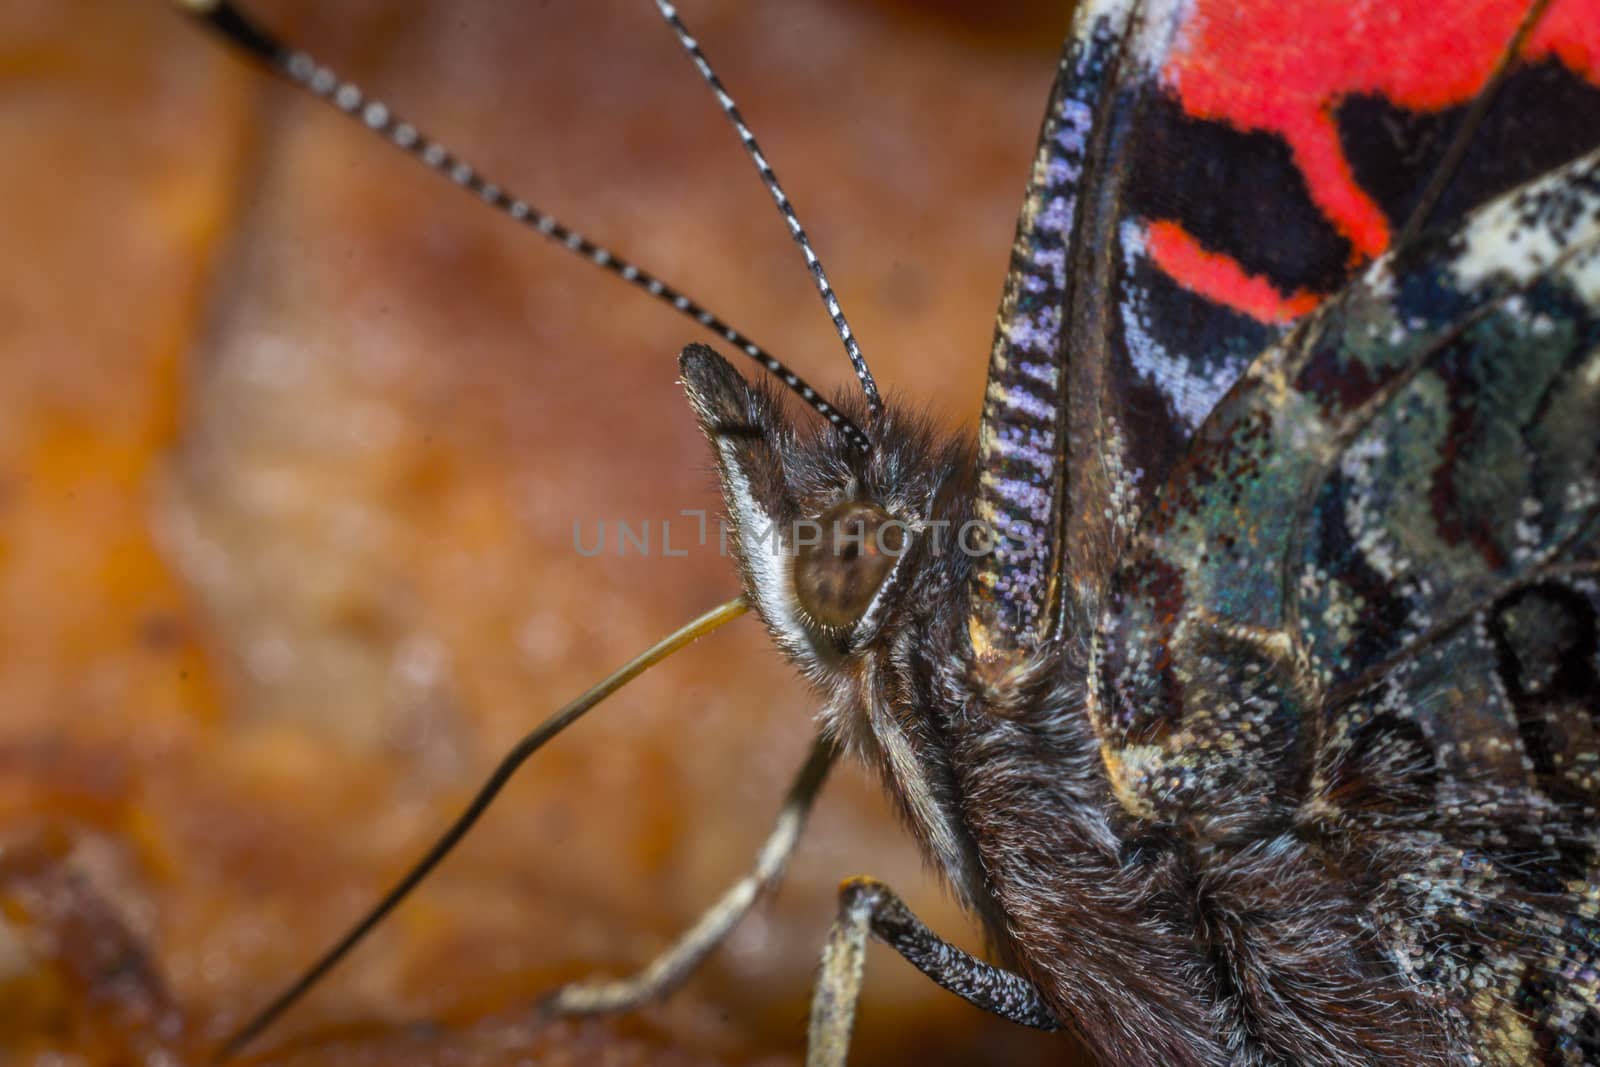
[(836, 545)]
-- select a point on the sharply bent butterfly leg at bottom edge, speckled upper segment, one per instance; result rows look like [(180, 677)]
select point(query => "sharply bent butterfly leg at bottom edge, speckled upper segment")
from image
[(870, 906)]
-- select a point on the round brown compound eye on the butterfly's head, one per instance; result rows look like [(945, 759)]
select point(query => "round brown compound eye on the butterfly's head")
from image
[(841, 561)]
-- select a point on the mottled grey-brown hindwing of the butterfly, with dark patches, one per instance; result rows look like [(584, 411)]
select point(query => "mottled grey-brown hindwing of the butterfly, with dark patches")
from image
[(1364, 613)]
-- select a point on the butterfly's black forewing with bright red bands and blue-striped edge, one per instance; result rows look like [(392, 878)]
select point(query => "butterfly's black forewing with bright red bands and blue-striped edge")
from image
[(1210, 172)]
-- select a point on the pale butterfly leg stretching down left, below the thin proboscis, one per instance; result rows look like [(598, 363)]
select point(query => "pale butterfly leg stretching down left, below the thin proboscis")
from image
[(668, 970)]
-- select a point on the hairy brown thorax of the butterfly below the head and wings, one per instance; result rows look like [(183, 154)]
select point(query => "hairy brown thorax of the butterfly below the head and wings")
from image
[(1161, 945)]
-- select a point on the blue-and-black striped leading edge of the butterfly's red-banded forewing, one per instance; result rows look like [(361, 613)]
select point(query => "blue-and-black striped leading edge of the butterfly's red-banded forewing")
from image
[(1050, 322)]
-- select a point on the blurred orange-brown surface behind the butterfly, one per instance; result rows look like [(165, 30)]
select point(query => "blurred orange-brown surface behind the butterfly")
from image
[(294, 441)]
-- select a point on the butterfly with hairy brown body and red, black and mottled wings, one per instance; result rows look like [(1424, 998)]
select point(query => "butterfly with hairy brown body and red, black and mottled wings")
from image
[(1260, 729)]
